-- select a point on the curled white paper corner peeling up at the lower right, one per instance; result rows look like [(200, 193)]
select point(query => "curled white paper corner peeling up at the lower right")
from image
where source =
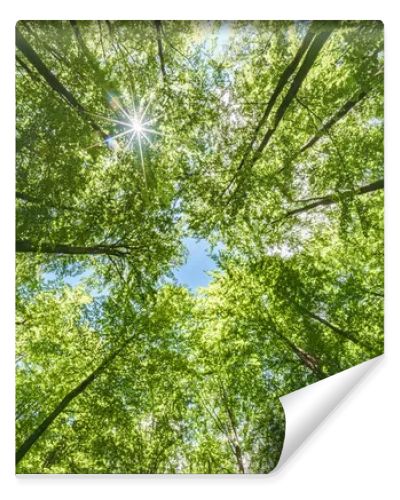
[(306, 408)]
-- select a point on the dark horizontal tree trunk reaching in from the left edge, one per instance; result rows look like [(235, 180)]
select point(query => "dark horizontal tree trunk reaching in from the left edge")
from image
[(26, 246)]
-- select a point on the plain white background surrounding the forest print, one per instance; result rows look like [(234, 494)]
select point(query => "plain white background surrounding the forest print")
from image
[(355, 453)]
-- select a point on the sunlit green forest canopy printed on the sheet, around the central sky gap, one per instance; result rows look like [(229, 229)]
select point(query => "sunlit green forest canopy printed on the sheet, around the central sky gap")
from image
[(263, 138)]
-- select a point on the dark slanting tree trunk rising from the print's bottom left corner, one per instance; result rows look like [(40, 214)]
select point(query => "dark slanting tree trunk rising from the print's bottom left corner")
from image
[(31, 440)]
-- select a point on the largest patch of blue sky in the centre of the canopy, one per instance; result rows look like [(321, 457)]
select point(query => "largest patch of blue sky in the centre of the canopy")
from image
[(193, 273)]
